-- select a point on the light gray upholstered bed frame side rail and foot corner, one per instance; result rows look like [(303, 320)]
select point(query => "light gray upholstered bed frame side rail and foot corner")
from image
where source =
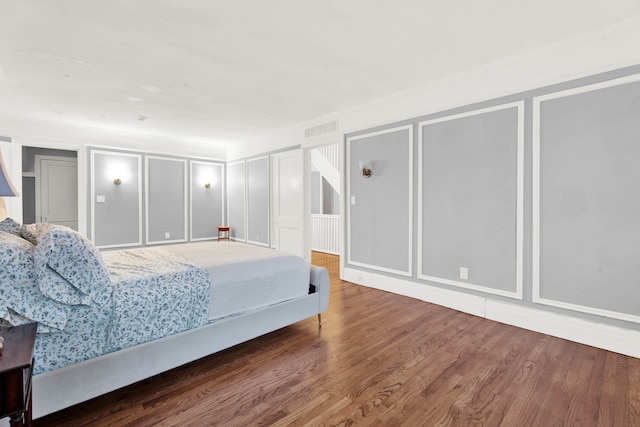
[(64, 387)]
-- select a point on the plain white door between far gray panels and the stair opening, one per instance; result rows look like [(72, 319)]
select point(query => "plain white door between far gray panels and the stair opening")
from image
[(288, 202)]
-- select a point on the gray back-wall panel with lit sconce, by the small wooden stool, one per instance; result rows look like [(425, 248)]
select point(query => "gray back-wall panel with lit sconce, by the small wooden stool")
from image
[(207, 199)]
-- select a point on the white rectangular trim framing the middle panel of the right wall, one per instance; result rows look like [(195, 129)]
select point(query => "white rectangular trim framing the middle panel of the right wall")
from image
[(517, 294)]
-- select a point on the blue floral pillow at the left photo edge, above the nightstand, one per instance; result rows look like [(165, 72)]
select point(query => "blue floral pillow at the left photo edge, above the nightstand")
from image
[(19, 291)]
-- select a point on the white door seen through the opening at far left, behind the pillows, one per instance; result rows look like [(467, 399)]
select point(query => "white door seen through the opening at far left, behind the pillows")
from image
[(57, 191)]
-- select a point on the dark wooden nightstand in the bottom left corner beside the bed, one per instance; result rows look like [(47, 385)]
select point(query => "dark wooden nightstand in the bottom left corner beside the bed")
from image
[(16, 370)]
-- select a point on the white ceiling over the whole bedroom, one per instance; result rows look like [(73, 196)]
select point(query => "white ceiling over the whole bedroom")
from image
[(226, 71)]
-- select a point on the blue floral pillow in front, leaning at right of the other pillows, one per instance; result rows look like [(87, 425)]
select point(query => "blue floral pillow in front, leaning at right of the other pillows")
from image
[(75, 259)]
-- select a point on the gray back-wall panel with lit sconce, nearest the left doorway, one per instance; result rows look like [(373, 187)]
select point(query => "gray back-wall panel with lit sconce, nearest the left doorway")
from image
[(116, 210)]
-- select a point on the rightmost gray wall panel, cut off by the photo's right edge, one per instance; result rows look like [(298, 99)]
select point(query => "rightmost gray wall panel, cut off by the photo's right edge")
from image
[(588, 233)]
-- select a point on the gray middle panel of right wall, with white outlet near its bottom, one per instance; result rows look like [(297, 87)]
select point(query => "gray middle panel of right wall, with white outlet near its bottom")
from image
[(468, 200)]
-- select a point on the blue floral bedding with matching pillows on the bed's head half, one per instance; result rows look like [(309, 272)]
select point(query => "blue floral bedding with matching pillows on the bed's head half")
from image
[(88, 303)]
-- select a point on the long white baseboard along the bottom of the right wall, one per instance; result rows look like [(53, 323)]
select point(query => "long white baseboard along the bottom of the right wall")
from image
[(612, 338)]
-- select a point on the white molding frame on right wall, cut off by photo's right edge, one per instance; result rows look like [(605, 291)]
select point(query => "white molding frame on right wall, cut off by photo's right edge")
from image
[(535, 252)]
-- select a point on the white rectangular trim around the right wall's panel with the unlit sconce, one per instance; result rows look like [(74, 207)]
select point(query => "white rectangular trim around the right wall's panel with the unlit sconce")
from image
[(409, 127)]
